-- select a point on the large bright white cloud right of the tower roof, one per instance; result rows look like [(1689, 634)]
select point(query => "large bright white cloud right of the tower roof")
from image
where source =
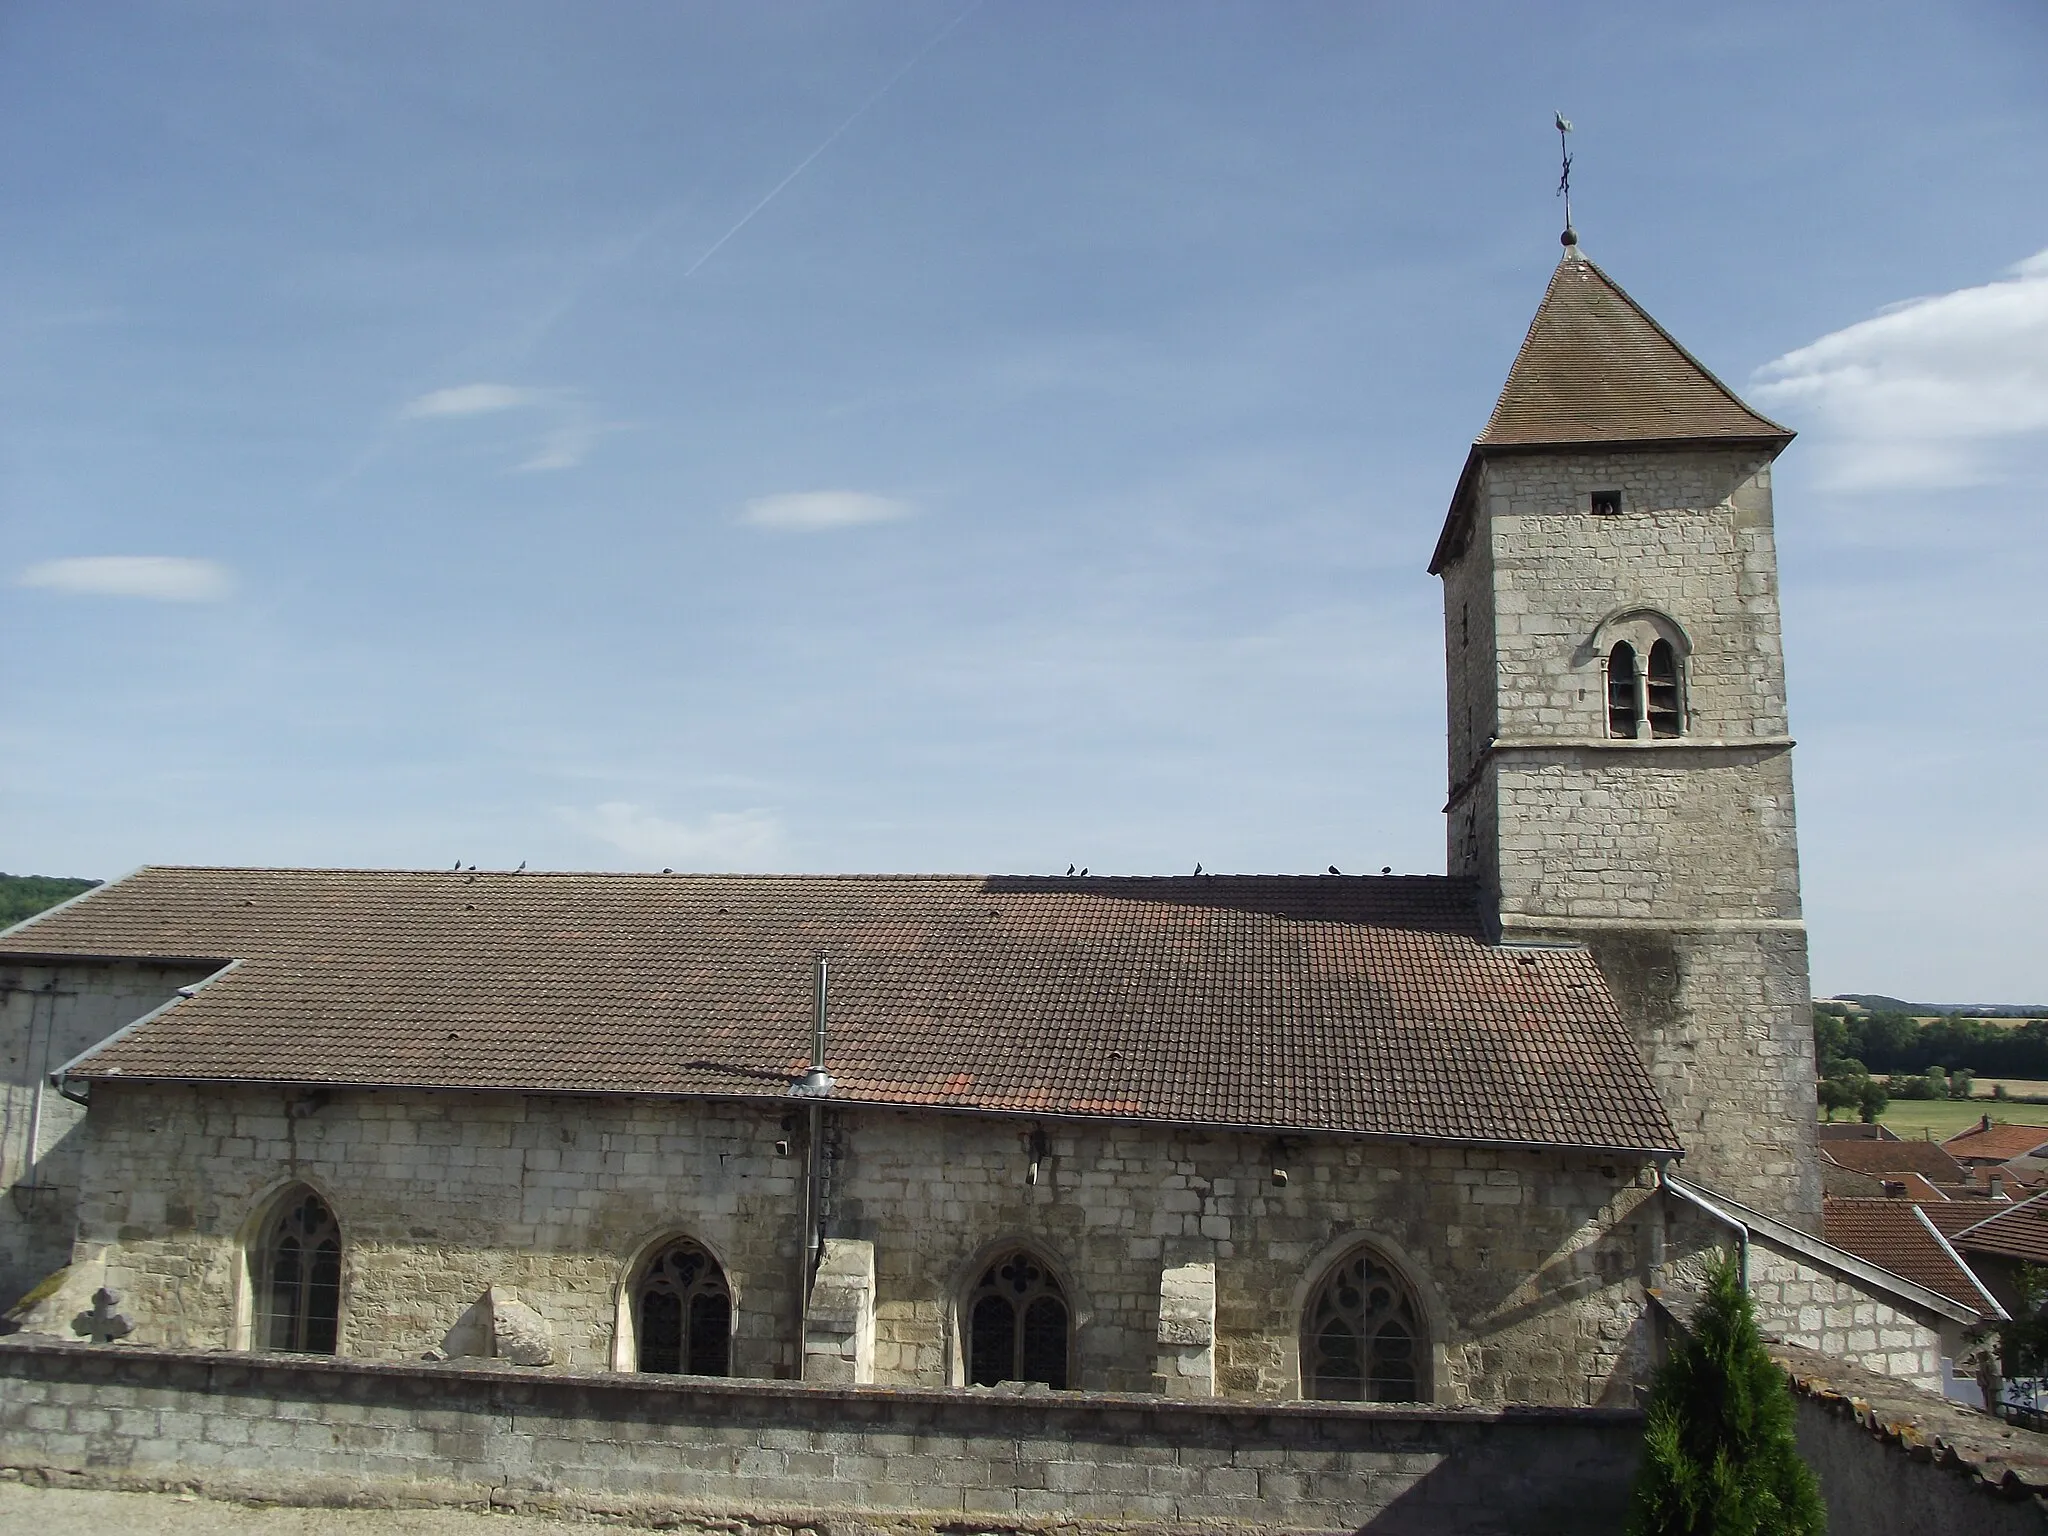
[(1930, 390)]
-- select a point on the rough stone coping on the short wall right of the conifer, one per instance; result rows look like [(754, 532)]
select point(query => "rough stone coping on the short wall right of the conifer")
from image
[(2006, 1459)]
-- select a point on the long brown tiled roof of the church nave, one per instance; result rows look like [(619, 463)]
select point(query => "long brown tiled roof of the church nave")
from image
[(1322, 1002)]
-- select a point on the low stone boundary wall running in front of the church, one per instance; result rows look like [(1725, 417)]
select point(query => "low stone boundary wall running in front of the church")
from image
[(712, 1455)]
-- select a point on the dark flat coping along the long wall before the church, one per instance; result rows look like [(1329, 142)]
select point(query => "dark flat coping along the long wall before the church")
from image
[(87, 1361)]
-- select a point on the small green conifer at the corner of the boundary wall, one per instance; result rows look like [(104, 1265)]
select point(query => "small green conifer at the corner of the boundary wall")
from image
[(1719, 1457)]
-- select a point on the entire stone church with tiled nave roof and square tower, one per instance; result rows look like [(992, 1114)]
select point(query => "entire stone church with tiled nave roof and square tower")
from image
[(1412, 1140)]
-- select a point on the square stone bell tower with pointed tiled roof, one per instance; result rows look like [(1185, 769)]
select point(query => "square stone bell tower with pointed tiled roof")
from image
[(1621, 767)]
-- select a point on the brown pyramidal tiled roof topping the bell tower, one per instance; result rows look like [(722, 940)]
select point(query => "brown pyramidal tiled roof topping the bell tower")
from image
[(1598, 370)]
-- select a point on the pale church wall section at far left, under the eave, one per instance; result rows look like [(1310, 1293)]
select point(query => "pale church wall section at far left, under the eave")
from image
[(48, 1015)]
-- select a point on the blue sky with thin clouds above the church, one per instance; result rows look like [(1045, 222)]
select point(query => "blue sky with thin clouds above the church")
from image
[(910, 437)]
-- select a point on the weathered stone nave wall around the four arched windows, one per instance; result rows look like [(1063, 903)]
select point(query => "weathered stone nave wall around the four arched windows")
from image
[(1527, 1265)]
